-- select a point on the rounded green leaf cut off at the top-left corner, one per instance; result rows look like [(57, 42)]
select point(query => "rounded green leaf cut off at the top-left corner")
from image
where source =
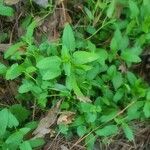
[(6, 11)]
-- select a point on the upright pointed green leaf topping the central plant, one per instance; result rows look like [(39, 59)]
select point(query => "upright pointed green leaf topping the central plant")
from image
[(68, 39)]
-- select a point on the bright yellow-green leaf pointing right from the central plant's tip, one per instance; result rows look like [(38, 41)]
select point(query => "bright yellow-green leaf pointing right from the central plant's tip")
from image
[(83, 57)]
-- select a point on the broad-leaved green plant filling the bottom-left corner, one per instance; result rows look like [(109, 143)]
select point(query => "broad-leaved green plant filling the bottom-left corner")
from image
[(12, 135)]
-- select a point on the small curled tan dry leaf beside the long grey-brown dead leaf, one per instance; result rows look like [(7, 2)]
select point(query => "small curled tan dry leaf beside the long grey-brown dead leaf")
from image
[(66, 117)]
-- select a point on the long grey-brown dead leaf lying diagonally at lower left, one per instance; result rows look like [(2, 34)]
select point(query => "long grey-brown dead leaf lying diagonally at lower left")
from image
[(46, 122)]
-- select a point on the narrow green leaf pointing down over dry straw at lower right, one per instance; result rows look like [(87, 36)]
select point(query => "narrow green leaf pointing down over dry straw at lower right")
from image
[(128, 132)]
